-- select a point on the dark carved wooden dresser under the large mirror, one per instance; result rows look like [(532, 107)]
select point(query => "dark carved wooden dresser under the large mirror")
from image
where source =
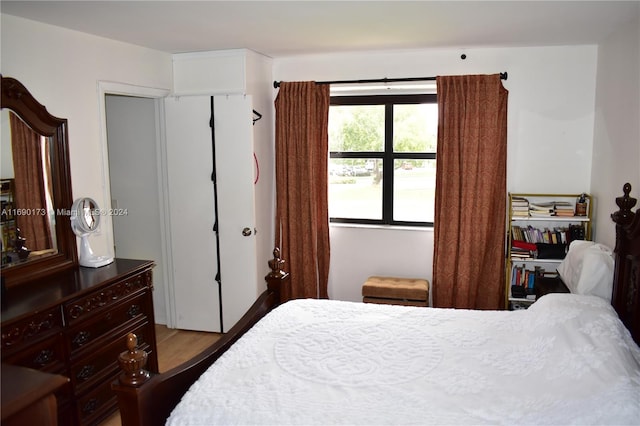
[(75, 324)]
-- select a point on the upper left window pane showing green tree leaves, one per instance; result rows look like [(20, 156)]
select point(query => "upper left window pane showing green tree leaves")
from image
[(356, 128)]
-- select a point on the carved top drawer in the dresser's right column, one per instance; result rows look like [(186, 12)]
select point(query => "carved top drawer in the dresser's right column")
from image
[(102, 300)]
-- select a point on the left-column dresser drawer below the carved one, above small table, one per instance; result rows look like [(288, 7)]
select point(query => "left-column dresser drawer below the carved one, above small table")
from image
[(47, 355)]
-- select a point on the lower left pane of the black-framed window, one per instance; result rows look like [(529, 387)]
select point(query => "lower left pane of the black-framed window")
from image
[(355, 188)]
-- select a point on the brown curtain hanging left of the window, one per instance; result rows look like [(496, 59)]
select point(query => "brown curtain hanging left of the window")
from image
[(302, 218)]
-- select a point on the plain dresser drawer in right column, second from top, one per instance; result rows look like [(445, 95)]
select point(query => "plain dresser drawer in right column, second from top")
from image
[(87, 332)]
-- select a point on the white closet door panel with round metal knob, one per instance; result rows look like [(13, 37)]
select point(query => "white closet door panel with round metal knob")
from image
[(236, 204)]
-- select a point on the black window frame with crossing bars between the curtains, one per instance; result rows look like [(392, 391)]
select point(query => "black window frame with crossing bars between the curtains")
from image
[(388, 156)]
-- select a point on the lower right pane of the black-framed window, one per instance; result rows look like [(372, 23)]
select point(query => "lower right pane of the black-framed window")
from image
[(414, 189)]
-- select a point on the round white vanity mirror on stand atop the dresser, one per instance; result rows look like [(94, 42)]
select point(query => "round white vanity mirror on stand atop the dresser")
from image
[(85, 219)]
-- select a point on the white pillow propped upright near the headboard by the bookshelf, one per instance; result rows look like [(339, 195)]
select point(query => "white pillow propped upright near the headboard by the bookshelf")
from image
[(588, 269)]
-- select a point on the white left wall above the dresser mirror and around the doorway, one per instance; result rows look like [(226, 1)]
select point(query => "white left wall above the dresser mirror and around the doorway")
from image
[(62, 68)]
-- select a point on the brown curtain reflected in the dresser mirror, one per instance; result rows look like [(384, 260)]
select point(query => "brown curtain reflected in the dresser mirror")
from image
[(30, 197)]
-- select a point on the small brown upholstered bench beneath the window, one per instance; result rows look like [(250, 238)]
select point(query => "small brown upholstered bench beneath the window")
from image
[(396, 291)]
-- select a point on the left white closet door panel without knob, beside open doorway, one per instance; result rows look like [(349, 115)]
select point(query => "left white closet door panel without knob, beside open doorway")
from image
[(189, 152)]
